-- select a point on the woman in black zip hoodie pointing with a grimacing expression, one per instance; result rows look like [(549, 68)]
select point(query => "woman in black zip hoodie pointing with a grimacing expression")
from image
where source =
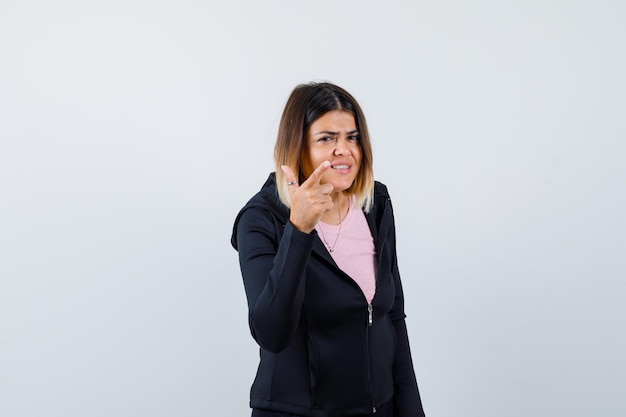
[(318, 258)]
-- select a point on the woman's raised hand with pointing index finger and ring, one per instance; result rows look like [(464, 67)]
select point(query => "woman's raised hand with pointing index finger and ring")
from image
[(309, 200)]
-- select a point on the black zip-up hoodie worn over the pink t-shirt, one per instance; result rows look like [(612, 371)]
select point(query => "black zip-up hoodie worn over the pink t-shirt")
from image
[(325, 352)]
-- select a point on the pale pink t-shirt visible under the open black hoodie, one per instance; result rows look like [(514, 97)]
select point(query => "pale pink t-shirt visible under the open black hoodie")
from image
[(353, 251)]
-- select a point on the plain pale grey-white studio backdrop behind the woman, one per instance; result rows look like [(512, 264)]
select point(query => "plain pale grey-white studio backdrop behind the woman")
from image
[(133, 131)]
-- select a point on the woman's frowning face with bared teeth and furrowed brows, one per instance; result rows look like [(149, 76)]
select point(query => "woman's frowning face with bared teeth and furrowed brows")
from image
[(334, 137)]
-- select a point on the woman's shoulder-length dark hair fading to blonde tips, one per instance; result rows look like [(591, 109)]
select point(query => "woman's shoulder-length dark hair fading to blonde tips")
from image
[(306, 104)]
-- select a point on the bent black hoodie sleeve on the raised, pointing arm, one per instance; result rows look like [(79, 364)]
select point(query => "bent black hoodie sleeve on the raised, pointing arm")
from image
[(273, 268)]
